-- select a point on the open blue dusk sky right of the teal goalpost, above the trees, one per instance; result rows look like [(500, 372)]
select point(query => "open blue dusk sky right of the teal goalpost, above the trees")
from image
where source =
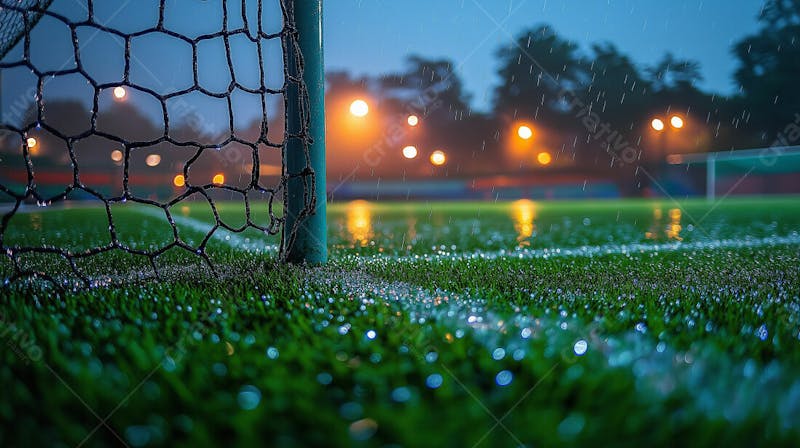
[(374, 36)]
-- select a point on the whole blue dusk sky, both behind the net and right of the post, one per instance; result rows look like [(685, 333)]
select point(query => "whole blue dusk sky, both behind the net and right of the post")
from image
[(374, 37)]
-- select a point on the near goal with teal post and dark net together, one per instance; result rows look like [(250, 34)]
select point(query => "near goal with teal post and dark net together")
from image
[(289, 31)]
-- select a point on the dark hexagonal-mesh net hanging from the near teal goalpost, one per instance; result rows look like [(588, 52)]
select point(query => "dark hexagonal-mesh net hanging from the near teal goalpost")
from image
[(187, 131)]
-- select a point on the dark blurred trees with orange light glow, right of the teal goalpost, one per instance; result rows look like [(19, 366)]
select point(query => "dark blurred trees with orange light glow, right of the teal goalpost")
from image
[(581, 102)]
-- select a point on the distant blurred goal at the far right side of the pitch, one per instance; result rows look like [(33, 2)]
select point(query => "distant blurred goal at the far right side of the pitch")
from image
[(738, 166)]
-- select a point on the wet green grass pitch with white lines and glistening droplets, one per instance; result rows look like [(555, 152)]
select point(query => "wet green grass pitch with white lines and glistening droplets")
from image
[(623, 323)]
